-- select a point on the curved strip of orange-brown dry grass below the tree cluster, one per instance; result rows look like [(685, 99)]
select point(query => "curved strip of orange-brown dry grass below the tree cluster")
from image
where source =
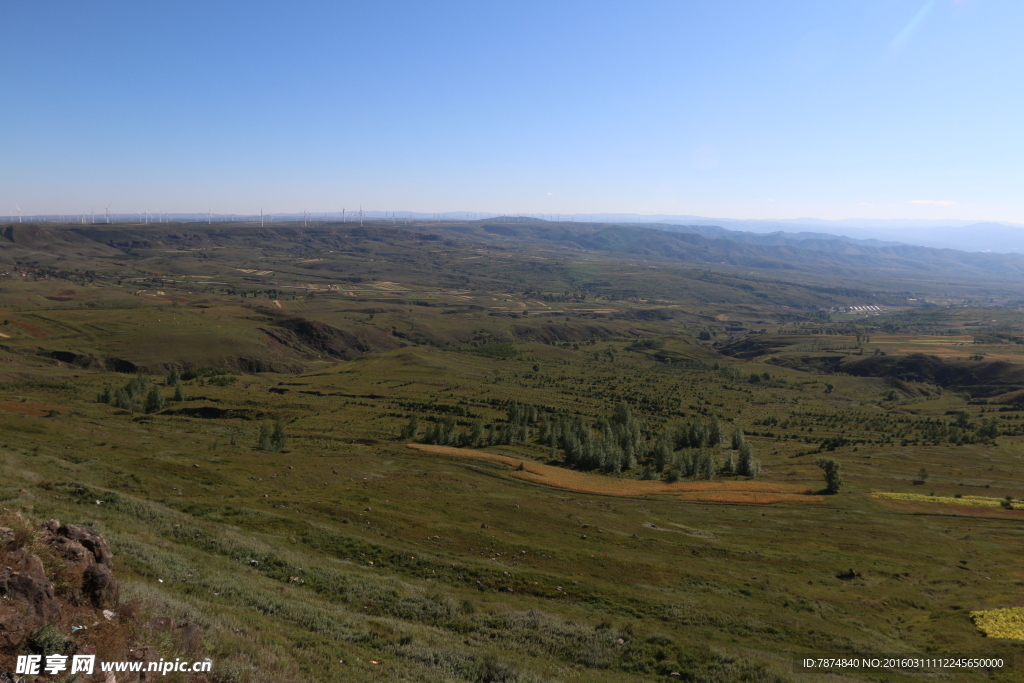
[(558, 478)]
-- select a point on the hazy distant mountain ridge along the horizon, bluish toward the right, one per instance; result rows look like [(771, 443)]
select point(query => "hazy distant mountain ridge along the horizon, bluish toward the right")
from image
[(818, 253)]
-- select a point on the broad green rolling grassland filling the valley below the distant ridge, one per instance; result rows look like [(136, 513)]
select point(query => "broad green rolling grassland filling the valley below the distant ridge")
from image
[(309, 560)]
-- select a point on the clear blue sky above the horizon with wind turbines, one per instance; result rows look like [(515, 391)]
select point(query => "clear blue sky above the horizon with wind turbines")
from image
[(833, 109)]
